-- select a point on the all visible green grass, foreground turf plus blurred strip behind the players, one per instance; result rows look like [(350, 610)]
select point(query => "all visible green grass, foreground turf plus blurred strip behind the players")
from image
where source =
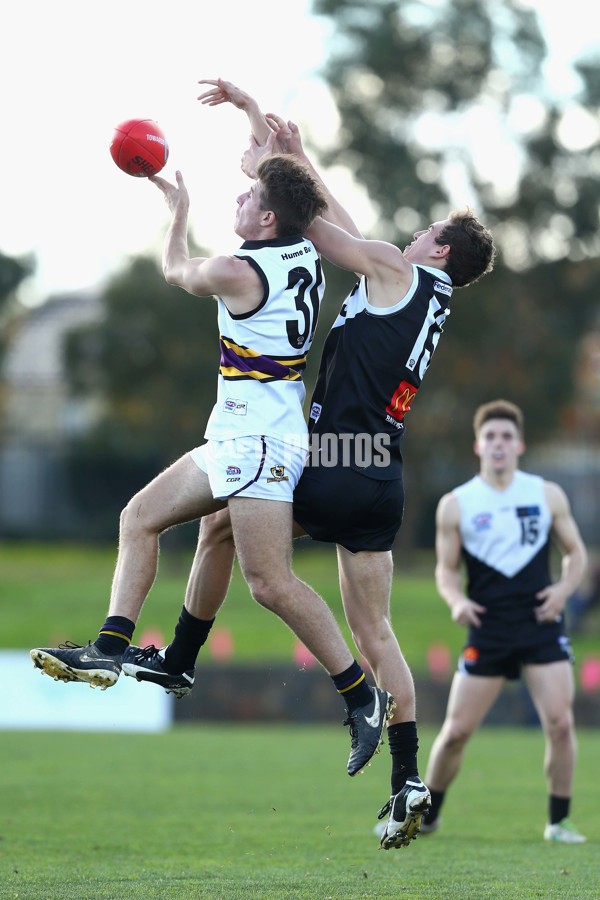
[(249, 812)]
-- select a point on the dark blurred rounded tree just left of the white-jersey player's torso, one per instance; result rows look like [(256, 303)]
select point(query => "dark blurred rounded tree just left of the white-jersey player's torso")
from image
[(152, 360)]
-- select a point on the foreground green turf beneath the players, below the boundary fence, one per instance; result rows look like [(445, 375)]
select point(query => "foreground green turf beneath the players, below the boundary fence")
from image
[(269, 812)]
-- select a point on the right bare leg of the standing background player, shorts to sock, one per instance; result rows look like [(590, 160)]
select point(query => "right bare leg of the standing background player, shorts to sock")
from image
[(552, 691)]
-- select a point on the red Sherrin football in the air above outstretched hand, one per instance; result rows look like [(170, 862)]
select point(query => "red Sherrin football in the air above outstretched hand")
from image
[(139, 147)]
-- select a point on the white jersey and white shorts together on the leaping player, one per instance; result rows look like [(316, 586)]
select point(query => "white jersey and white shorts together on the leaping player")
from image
[(256, 434)]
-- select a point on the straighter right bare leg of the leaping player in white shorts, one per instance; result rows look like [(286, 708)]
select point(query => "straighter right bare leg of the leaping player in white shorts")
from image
[(263, 539)]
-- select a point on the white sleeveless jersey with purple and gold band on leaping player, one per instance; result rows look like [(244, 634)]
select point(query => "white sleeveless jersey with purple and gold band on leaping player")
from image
[(263, 352)]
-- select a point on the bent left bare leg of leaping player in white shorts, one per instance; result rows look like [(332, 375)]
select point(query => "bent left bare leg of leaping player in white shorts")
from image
[(179, 494)]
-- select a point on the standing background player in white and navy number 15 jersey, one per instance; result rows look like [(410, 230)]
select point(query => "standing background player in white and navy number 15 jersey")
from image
[(503, 521)]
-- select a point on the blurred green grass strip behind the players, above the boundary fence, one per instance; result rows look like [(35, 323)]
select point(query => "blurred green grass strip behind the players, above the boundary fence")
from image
[(49, 593)]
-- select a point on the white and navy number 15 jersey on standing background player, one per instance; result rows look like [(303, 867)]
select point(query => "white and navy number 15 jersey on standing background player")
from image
[(505, 536)]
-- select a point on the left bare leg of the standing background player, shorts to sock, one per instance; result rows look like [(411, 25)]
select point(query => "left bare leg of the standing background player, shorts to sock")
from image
[(470, 699)]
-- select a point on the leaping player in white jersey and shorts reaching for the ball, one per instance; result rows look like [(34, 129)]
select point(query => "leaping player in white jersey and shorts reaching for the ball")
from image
[(268, 293)]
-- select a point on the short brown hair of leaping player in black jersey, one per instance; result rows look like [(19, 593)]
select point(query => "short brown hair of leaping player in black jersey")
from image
[(472, 250)]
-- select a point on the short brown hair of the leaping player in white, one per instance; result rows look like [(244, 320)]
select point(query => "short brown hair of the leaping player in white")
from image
[(291, 192)]
